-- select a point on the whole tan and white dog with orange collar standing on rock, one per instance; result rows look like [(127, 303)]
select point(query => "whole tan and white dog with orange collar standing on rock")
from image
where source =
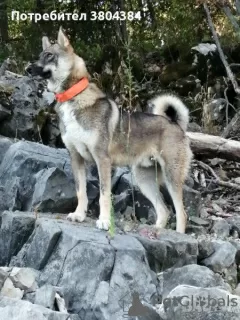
[(94, 130)]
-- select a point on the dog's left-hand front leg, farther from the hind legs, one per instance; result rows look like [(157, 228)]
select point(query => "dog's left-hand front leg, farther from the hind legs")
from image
[(79, 172)]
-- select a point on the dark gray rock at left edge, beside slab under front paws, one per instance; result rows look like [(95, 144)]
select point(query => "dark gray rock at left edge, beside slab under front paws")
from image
[(15, 230)]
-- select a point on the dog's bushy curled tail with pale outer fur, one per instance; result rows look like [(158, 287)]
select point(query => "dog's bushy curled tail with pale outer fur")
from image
[(170, 106)]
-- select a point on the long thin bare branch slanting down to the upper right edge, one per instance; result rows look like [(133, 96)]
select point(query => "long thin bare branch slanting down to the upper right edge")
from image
[(221, 54)]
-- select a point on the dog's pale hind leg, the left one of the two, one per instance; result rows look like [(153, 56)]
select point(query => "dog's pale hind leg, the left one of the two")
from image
[(148, 181)]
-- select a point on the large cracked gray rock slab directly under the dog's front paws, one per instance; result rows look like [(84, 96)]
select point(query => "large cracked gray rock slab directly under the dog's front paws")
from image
[(64, 253)]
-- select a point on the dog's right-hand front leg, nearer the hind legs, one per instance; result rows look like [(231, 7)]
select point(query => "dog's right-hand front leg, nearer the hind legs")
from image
[(104, 170)]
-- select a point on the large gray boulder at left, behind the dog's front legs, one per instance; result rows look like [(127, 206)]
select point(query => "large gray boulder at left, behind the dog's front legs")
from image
[(22, 162)]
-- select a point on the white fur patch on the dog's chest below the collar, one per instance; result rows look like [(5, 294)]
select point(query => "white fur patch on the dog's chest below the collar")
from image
[(74, 134)]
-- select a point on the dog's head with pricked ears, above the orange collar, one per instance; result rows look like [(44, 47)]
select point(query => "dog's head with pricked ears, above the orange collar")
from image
[(58, 64)]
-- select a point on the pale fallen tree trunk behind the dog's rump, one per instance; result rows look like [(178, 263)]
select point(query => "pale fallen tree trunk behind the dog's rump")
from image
[(214, 146)]
